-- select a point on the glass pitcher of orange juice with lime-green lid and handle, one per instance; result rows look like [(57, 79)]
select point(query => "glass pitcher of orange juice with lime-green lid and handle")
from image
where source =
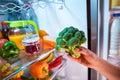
[(16, 30)]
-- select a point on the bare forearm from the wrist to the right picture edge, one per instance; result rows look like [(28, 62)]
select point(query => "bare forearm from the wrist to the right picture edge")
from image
[(108, 70)]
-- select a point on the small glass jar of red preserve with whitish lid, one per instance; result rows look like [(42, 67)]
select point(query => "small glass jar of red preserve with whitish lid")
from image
[(32, 44)]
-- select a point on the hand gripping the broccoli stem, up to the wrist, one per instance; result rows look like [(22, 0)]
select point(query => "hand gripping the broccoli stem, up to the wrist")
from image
[(87, 58)]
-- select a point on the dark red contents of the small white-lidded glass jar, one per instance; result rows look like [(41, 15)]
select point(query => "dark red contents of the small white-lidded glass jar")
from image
[(32, 49)]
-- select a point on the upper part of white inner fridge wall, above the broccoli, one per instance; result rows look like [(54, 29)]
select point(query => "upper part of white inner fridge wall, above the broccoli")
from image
[(52, 17)]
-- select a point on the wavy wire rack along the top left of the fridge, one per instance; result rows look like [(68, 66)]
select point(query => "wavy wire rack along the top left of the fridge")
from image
[(11, 7)]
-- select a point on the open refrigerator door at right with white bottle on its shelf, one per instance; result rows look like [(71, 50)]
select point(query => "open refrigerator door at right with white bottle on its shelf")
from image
[(108, 32)]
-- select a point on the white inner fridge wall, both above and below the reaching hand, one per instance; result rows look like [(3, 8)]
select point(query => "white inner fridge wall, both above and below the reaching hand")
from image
[(54, 17)]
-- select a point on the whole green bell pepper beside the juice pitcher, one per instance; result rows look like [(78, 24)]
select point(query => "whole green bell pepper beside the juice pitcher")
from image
[(9, 50)]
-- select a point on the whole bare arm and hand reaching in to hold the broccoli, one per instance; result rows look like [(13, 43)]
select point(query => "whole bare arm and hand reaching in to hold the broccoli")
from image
[(89, 59)]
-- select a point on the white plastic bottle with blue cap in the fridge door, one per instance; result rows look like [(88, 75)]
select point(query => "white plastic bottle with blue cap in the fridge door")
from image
[(115, 35)]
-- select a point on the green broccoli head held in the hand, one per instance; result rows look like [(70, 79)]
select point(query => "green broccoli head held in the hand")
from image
[(69, 39)]
